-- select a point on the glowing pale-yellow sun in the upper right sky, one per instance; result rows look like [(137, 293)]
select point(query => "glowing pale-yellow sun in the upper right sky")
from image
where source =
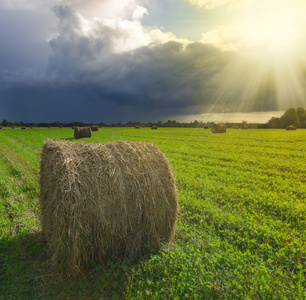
[(273, 26)]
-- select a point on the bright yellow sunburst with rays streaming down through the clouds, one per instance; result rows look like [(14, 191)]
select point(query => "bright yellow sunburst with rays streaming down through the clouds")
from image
[(267, 69)]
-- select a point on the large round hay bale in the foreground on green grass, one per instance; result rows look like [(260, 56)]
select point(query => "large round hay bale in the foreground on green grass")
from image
[(102, 201)]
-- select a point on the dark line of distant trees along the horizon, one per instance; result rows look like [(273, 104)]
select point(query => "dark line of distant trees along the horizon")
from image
[(292, 116)]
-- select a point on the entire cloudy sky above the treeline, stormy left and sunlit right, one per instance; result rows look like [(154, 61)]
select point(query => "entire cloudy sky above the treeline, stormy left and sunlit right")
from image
[(149, 60)]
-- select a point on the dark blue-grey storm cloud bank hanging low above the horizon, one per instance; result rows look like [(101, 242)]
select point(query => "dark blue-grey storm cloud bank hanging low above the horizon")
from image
[(86, 79)]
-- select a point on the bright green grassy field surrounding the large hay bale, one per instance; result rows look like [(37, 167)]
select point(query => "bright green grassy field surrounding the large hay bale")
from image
[(241, 229)]
